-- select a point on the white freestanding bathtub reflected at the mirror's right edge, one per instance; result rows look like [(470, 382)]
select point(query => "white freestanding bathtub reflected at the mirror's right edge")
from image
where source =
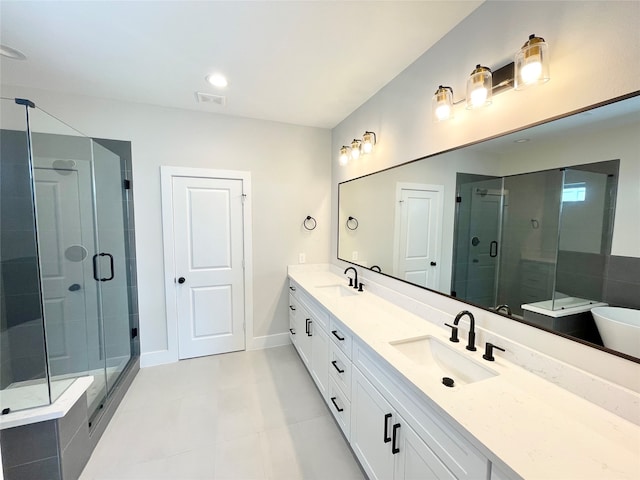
[(619, 328)]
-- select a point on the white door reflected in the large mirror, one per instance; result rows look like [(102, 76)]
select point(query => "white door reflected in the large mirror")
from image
[(418, 234)]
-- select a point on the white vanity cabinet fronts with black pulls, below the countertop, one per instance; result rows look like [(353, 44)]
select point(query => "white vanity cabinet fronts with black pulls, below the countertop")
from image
[(393, 430)]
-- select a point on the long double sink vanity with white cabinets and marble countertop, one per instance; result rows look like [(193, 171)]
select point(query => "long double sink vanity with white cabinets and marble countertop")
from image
[(414, 404)]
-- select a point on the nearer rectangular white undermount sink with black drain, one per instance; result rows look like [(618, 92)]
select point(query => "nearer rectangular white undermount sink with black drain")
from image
[(443, 361)]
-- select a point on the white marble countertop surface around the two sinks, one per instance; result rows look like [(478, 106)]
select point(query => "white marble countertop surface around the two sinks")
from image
[(535, 427)]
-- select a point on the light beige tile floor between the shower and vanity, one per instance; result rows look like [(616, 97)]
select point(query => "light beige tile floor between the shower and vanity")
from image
[(243, 415)]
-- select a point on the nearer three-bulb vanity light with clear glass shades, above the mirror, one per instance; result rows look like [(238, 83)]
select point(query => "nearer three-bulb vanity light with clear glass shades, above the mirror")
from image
[(530, 67)]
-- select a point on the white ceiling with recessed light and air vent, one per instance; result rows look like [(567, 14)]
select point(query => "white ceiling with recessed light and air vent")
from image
[(303, 62)]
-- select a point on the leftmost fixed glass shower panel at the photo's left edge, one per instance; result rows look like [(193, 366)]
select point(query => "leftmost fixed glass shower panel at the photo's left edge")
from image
[(23, 364)]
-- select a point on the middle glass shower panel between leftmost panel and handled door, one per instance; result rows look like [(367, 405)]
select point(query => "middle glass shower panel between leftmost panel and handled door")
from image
[(62, 175)]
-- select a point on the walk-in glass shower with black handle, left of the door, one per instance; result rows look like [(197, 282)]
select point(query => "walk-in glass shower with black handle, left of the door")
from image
[(67, 262)]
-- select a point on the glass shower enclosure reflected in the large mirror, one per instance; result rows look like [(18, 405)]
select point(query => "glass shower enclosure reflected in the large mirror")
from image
[(535, 238)]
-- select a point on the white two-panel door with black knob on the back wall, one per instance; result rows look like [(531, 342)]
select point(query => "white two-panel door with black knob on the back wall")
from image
[(209, 274)]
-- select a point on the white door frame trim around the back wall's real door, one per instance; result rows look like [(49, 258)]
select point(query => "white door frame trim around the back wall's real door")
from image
[(167, 173)]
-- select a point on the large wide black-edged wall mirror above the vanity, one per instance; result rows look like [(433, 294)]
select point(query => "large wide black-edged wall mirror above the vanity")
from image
[(539, 224)]
